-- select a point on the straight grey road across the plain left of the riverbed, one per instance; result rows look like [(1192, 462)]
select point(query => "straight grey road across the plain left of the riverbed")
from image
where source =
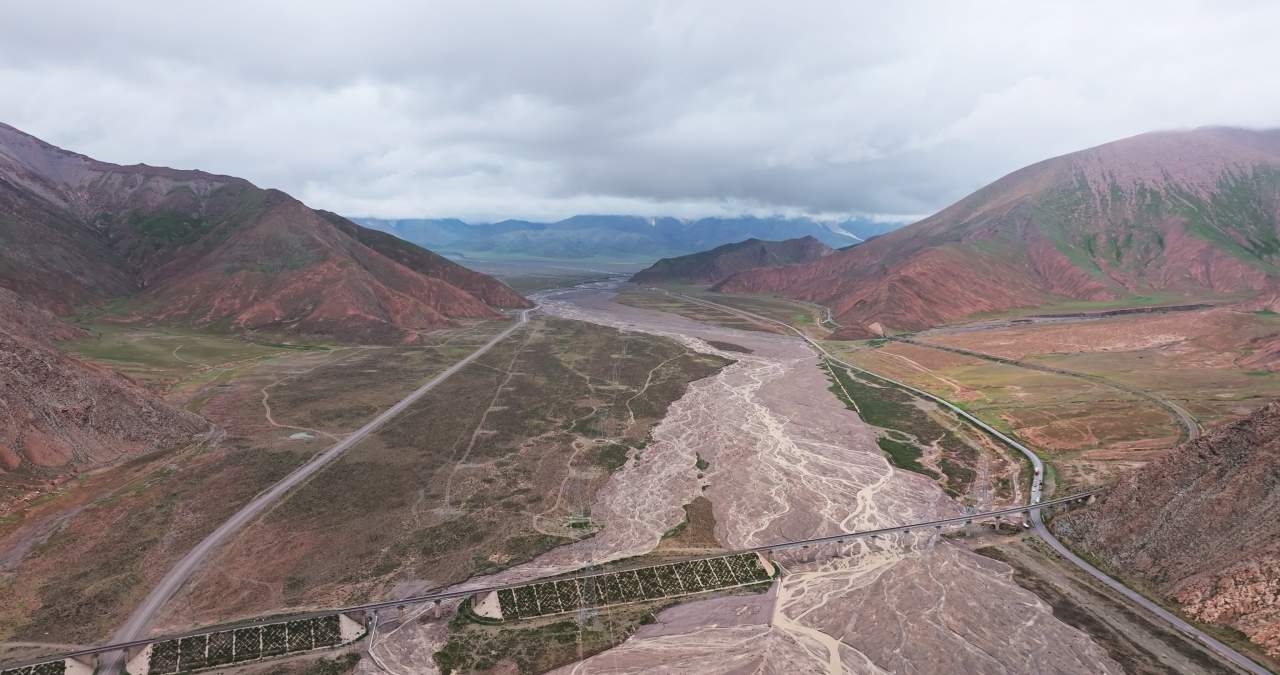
[(180, 573)]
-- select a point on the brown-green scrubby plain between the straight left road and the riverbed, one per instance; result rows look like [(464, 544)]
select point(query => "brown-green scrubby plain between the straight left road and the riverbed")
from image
[(492, 468)]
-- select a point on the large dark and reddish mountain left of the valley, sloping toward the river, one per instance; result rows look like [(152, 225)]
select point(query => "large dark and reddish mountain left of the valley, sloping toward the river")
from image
[(217, 252)]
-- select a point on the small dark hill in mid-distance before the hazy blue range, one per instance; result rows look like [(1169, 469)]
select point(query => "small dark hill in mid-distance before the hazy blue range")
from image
[(723, 262)]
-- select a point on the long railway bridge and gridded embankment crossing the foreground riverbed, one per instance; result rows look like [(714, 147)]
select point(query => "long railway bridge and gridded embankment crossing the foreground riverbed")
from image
[(592, 589)]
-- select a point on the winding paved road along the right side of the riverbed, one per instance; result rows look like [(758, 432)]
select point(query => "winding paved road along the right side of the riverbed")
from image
[(1037, 522)]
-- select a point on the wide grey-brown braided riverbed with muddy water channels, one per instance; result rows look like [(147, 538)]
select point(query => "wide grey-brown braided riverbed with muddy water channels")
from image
[(788, 462)]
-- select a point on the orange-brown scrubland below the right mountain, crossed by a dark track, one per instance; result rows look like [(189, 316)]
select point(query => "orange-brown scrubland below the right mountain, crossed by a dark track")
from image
[(1089, 431)]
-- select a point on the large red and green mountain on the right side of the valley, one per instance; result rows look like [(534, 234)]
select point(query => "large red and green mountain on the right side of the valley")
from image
[(1190, 215)]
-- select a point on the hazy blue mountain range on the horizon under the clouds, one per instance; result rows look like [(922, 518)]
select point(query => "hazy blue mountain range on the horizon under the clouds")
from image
[(614, 238)]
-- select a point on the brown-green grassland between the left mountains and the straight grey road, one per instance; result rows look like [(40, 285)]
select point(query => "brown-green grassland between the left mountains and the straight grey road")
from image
[(74, 563)]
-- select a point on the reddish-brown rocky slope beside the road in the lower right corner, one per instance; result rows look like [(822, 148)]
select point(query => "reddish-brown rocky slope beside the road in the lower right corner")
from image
[(1200, 527)]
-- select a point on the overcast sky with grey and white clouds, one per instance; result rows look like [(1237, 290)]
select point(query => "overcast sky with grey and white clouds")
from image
[(545, 110)]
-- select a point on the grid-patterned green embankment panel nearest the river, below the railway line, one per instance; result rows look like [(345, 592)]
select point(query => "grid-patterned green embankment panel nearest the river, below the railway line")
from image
[(546, 599)]
